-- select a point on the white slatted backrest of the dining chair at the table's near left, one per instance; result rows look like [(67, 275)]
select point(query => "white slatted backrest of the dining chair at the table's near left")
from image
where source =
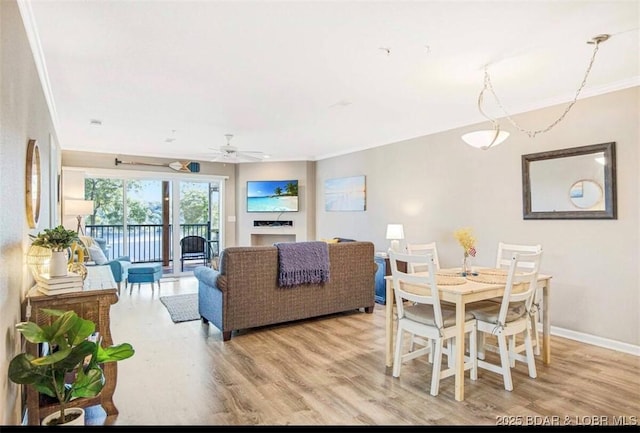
[(426, 283)]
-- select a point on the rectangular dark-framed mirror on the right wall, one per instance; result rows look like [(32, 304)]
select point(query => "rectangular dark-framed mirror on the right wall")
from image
[(574, 183)]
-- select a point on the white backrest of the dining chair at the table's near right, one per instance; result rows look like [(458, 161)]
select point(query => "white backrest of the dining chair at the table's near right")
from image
[(522, 281)]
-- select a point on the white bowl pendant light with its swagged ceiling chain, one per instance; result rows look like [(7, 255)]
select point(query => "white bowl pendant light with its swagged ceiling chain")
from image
[(486, 139)]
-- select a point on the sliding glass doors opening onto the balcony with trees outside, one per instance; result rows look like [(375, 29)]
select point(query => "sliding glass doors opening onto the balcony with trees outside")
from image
[(137, 219)]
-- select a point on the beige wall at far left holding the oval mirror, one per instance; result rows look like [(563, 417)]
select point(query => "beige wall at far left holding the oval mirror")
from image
[(24, 115)]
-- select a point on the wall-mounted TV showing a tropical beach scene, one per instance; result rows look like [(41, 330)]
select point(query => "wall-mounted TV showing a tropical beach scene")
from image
[(272, 196)]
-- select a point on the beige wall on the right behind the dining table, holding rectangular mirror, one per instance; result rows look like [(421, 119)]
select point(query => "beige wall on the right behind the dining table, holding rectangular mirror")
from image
[(436, 184)]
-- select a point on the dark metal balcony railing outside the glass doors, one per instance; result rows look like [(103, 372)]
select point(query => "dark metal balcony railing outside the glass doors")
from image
[(144, 241)]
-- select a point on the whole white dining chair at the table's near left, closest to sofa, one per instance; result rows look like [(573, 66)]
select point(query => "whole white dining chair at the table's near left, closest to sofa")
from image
[(424, 315)]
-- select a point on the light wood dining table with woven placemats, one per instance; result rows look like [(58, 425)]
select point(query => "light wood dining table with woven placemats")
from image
[(481, 285)]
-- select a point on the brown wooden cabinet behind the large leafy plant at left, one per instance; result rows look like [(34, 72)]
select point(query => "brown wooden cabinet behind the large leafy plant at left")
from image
[(90, 304)]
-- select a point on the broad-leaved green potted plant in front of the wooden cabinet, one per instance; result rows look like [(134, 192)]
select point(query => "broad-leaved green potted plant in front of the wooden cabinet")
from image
[(71, 367)]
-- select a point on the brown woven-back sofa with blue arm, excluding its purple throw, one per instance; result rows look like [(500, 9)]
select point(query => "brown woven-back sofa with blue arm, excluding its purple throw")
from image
[(244, 293)]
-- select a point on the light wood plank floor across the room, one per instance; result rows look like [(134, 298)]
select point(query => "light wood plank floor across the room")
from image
[(330, 371)]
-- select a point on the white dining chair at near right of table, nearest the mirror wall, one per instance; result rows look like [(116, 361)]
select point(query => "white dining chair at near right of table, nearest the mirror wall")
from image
[(510, 317)]
